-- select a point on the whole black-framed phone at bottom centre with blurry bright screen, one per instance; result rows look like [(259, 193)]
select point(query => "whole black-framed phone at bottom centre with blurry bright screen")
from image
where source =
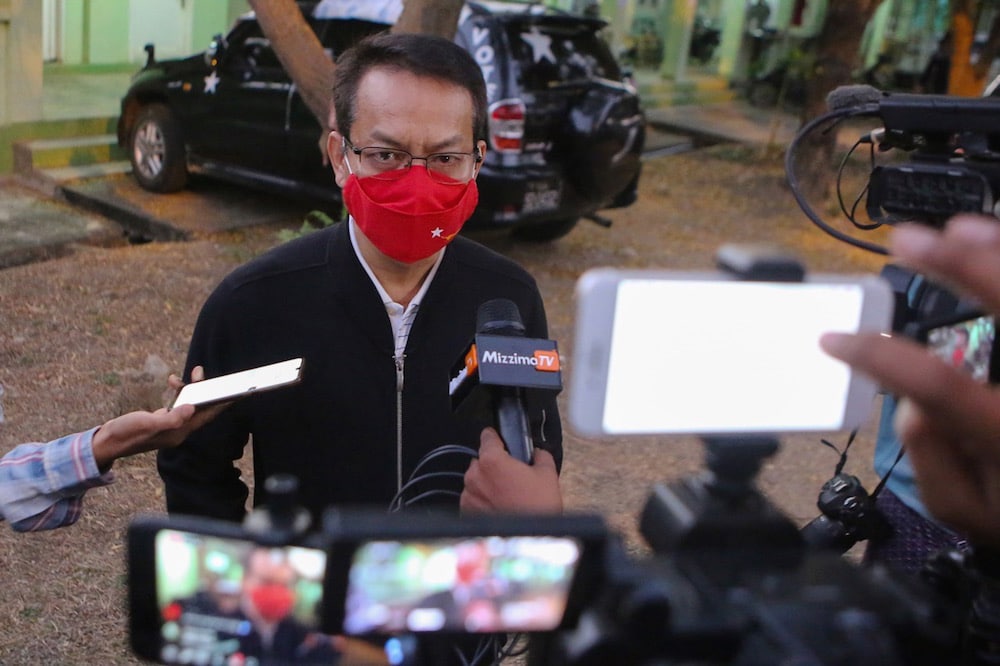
[(442, 575)]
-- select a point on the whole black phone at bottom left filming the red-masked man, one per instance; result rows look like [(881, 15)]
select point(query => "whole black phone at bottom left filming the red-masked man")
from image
[(204, 592)]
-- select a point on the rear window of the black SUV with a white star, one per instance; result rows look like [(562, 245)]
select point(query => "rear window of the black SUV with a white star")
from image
[(552, 55)]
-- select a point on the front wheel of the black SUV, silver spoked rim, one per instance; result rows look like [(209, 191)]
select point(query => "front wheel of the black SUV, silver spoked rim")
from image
[(156, 150)]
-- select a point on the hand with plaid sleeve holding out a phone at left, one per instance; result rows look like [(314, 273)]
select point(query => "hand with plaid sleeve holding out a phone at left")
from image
[(138, 432)]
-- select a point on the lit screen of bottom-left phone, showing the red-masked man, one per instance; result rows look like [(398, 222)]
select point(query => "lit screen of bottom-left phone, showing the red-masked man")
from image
[(218, 596)]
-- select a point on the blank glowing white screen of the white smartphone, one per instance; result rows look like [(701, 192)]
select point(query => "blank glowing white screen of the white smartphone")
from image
[(727, 357)]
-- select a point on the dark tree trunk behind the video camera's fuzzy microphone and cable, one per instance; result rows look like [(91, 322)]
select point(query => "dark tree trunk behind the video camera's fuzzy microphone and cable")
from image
[(836, 58)]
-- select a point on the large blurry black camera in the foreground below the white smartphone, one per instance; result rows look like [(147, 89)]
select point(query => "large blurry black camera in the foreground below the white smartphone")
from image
[(732, 581)]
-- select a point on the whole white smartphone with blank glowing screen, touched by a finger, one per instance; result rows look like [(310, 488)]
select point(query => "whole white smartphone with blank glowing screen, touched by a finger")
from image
[(659, 352)]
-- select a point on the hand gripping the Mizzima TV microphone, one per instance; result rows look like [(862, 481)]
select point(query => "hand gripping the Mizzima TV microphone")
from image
[(496, 482)]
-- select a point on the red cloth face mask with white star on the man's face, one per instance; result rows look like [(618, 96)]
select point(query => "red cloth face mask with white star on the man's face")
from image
[(411, 218)]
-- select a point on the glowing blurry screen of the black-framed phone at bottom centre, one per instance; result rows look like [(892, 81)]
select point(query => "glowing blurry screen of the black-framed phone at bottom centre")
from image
[(467, 585)]
